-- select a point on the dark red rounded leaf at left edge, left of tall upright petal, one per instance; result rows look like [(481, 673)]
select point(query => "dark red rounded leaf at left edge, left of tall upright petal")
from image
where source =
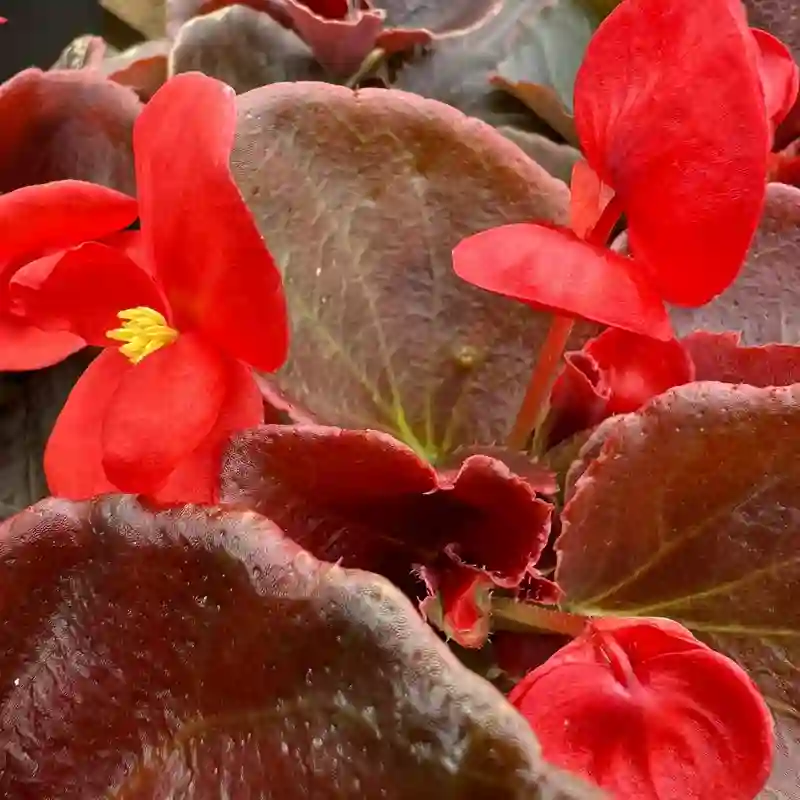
[(66, 124)]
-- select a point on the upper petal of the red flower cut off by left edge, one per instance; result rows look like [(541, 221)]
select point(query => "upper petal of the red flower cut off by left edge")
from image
[(53, 216)]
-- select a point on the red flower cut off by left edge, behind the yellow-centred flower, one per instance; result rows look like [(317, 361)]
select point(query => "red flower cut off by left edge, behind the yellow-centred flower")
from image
[(35, 220)]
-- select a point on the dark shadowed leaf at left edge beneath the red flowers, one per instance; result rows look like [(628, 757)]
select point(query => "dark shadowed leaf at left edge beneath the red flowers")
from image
[(29, 405)]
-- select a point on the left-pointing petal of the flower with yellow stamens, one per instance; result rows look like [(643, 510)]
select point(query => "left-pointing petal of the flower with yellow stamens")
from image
[(82, 290)]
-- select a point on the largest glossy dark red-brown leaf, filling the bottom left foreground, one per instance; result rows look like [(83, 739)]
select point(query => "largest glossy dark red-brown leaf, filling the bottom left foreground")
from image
[(199, 653)]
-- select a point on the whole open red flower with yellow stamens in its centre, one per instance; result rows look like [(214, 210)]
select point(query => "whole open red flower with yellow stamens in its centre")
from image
[(153, 411)]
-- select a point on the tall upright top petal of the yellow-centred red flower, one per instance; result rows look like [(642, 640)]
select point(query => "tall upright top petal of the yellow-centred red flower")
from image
[(215, 269)]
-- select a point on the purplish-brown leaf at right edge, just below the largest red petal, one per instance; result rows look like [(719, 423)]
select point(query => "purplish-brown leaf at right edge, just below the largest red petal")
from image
[(764, 301)]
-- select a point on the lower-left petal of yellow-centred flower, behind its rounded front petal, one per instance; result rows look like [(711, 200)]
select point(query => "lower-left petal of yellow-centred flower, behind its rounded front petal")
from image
[(73, 458)]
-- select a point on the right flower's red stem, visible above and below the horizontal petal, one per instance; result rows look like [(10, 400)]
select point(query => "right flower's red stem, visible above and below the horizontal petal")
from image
[(535, 403)]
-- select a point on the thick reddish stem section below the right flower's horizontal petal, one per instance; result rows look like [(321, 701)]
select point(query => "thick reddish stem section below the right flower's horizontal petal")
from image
[(534, 405)]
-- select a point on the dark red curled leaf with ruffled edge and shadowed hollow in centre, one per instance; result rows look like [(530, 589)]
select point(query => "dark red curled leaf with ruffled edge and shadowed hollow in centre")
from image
[(368, 501)]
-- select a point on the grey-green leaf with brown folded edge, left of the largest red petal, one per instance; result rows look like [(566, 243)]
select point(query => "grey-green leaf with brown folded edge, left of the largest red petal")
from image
[(540, 69)]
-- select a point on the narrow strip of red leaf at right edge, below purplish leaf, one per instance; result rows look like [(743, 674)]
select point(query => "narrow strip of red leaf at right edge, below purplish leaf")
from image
[(720, 357)]
